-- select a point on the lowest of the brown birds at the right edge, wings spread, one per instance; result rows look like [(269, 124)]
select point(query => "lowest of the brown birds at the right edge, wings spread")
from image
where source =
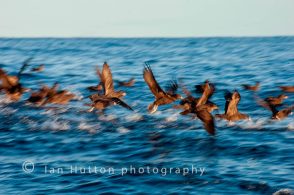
[(276, 114)]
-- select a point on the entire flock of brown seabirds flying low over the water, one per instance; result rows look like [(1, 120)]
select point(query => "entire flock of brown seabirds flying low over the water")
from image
[(105, 96)]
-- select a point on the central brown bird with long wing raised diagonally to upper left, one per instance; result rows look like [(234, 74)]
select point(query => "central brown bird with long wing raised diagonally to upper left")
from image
[(161, 97)]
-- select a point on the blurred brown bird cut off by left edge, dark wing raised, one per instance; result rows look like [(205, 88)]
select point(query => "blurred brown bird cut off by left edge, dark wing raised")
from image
[(11, 84)]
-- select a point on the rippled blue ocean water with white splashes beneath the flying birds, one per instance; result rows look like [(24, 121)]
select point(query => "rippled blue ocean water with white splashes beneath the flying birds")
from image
[(66, 150)]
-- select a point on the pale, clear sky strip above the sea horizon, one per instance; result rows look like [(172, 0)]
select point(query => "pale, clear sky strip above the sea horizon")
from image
[(146, 18)]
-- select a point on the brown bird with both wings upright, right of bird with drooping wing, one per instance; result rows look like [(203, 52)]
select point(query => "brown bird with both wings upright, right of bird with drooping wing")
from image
[(231, 108)]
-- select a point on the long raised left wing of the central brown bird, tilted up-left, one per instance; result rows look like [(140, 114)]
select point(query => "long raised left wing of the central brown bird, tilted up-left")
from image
[(152, 83)]
